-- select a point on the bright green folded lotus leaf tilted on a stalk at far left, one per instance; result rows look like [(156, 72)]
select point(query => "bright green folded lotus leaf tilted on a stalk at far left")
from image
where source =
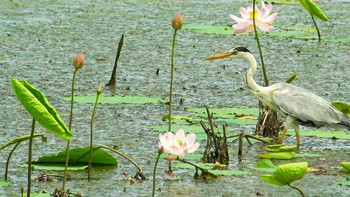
[(39, 107)]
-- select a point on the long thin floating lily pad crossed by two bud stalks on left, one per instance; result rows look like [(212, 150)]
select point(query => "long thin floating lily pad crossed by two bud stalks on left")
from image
[(117, 99)]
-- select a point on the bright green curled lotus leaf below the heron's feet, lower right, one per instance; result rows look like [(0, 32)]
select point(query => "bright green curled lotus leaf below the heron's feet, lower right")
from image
[(286, 174)]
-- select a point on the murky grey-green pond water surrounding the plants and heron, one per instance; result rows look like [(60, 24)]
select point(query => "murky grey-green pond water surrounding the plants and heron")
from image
[(39, 39)]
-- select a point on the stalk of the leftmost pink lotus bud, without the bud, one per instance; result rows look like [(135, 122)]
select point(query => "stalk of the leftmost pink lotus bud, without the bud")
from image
[(69, 127)]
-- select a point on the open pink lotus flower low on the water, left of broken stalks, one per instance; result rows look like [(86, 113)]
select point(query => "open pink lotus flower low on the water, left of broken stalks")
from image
[(178, 144)]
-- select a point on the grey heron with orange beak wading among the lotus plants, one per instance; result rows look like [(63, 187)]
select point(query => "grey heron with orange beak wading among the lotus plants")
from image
[(297, 105)]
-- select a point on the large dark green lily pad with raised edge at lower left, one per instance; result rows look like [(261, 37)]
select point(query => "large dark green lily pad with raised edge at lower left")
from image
[(78, 158)]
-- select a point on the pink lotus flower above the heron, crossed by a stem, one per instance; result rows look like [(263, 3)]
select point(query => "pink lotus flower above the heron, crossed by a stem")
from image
[(262, 18)]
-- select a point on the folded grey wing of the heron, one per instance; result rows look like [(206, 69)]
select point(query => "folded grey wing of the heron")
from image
[(305, 105)]
